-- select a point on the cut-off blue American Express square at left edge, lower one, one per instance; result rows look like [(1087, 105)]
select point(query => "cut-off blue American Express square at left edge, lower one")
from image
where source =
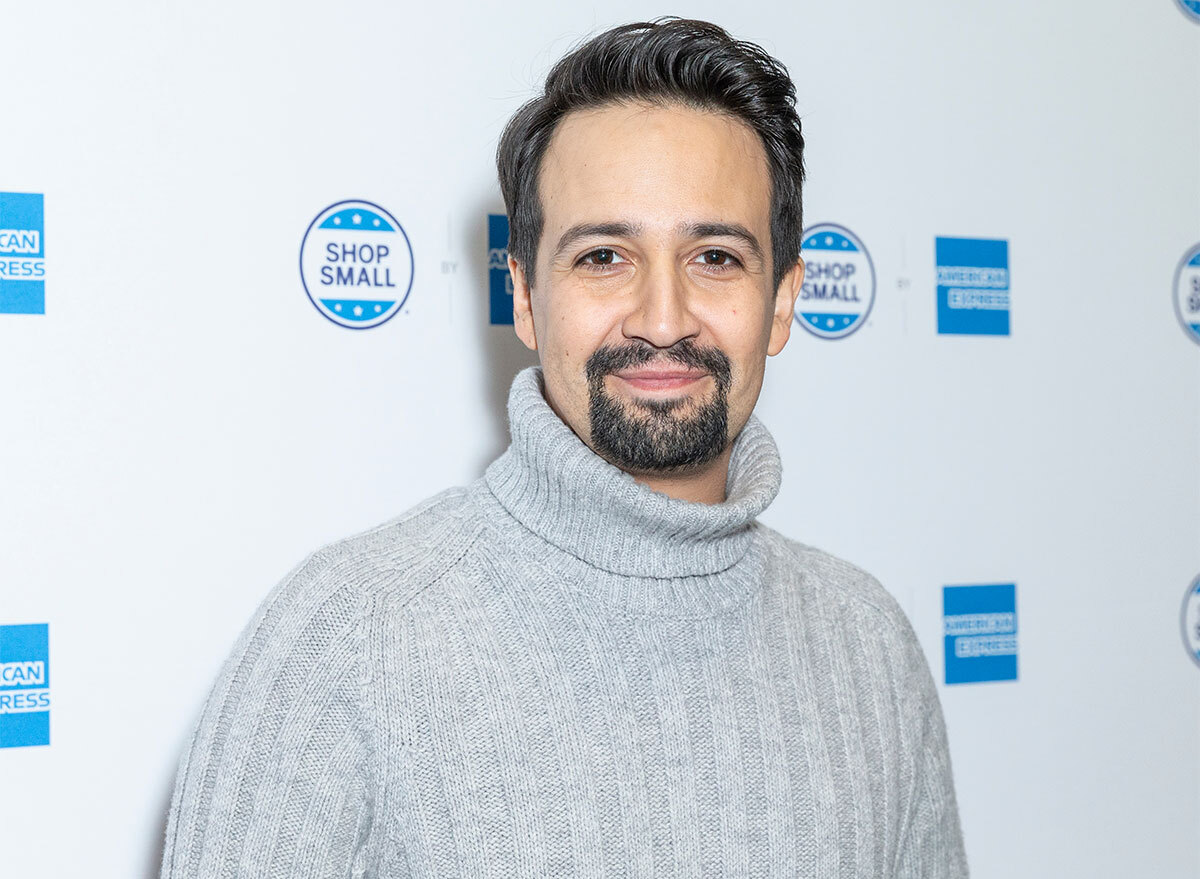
[(25, 686)]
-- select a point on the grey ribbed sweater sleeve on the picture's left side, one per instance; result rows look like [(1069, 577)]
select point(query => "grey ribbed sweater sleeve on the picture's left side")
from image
[(275, 781)]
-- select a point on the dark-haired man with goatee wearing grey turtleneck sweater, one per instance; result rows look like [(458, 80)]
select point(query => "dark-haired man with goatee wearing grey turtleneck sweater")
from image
[(595, 662)]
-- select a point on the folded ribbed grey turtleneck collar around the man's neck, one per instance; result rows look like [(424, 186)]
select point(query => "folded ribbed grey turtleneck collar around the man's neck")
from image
[(560, 489)]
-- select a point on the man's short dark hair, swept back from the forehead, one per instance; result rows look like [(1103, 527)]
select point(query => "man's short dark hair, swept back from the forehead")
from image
[(667, 61)]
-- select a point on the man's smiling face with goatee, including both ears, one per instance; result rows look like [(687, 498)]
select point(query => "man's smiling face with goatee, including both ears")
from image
[(655, 309)]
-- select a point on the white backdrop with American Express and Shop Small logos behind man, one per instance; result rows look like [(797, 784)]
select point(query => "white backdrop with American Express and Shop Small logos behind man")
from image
[(254, 298)]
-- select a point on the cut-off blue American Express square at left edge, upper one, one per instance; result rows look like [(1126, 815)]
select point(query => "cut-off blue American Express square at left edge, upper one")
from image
[(22, 254)]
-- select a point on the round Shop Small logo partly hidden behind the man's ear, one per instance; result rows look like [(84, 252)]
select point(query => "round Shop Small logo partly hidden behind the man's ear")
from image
[(839, 283)]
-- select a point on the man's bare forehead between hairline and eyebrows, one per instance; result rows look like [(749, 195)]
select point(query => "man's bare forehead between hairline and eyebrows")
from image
[(656, 166)]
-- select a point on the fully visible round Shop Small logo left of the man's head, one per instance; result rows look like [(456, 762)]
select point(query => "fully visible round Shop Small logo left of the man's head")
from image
[(357, 265)]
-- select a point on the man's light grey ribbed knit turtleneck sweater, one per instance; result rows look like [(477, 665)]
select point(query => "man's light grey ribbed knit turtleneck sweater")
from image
[(557, 672)]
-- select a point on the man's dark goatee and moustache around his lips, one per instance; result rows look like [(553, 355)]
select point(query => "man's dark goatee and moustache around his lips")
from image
[(652, 436)]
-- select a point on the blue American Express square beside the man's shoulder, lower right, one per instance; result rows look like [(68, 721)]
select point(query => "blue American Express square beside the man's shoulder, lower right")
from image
[(981, 633)]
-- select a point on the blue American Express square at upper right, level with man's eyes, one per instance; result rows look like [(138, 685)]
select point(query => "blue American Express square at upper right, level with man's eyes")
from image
[(973, 286)]
